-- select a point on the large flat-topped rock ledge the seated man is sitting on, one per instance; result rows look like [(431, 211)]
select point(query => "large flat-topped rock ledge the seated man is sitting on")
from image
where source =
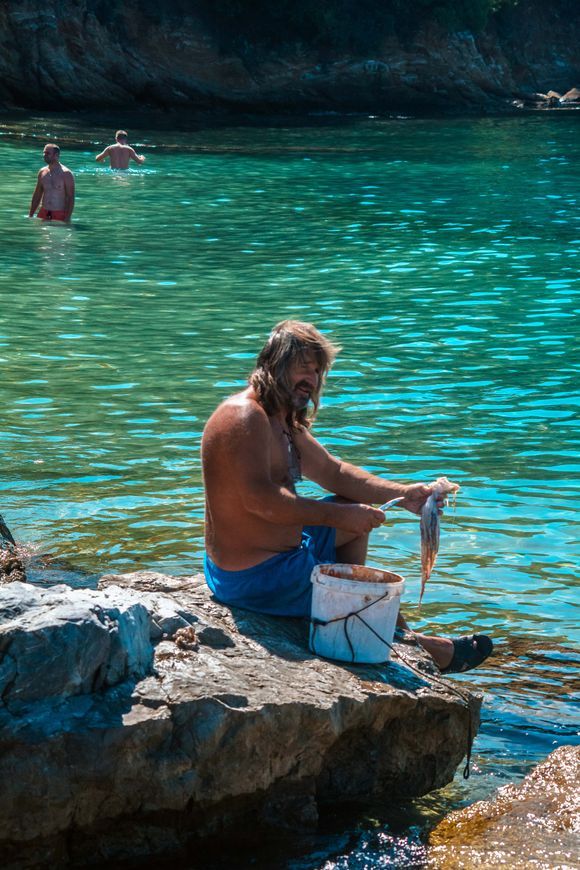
[(141, 716)]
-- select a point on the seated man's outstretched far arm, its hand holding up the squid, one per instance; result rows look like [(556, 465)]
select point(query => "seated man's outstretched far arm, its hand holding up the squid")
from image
[(352, 482)]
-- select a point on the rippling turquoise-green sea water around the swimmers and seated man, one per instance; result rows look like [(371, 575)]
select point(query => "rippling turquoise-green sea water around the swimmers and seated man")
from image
[(442, 256)]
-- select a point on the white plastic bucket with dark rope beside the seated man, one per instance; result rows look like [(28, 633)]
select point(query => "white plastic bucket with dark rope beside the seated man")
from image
[(338, 592)]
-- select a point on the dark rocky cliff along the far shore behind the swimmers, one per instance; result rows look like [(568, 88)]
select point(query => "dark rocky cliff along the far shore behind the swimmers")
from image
[(62, 54)]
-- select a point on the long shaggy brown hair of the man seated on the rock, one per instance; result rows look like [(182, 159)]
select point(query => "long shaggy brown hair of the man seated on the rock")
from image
[(290, 342)]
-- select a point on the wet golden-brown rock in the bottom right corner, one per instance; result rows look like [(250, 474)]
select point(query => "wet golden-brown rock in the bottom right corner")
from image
[(535, 824)]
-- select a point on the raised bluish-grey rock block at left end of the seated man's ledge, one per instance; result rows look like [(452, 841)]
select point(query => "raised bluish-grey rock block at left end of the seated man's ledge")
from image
[(56, 642)]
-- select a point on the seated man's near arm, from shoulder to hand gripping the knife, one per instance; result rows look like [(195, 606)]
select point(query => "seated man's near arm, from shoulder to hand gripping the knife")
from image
[(242, 441)]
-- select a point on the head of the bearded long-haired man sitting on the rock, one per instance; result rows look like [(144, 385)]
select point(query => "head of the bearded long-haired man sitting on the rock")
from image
[(291, 369)]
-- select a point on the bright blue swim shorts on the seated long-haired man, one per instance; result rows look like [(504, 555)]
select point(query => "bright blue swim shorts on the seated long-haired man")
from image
[(281, 585)]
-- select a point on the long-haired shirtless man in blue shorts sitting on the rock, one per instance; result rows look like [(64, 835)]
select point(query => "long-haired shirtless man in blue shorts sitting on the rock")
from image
[(262, 538)]
